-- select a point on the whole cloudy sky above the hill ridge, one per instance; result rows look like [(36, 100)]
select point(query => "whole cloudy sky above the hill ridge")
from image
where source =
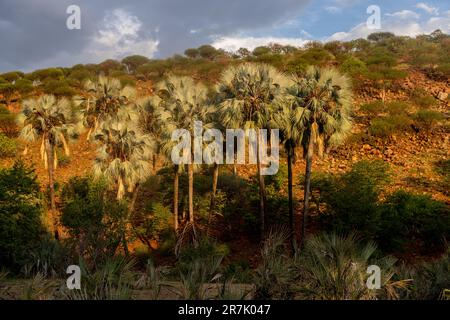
[(34, 33)]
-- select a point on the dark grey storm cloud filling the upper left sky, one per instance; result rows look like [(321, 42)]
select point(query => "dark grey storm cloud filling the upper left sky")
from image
[(33, 31)]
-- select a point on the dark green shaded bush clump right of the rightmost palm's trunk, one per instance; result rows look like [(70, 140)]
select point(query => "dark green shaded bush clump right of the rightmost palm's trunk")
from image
[(402, 221)]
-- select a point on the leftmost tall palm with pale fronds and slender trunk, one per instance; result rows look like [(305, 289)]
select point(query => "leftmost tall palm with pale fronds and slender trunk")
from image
[(53, 122)]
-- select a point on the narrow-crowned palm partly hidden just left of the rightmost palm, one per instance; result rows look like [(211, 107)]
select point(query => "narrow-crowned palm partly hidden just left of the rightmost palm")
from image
[(290, 121)]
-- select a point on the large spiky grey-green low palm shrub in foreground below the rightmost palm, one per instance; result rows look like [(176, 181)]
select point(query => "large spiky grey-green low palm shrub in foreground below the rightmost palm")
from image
[(334, 267)]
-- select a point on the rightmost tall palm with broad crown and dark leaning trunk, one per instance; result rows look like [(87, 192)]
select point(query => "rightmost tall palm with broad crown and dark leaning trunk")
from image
[(326, 97)]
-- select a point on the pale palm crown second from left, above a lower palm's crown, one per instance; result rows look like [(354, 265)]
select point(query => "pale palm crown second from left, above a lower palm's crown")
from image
[(105, 99)]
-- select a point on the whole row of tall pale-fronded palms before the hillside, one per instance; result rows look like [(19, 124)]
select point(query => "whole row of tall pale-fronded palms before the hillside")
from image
[(311, 111)]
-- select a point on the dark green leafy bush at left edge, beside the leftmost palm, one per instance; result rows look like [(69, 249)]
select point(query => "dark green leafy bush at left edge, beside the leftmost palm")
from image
[(21, 213)]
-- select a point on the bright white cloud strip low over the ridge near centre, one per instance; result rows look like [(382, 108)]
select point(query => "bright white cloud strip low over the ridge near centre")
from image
[(232, 44)]
